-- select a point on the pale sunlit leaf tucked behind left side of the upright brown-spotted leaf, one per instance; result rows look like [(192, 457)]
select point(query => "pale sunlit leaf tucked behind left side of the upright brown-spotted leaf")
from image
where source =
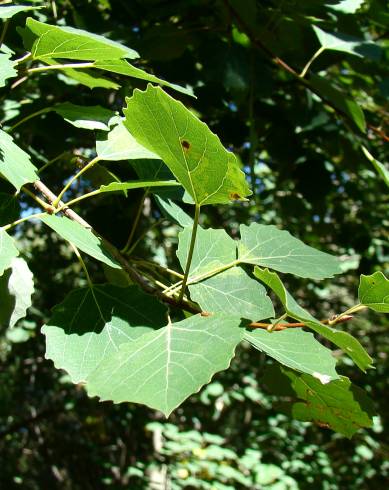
[(119, 144)]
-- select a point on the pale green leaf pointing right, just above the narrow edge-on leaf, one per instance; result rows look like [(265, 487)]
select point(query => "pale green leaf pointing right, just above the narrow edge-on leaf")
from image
[(267, 246)]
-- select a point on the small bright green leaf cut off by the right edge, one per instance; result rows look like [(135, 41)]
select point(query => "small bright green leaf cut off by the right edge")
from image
[(373, 292)]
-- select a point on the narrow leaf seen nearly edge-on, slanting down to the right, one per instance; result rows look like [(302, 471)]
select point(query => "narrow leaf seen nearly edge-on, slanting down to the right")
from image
[(343, 340)]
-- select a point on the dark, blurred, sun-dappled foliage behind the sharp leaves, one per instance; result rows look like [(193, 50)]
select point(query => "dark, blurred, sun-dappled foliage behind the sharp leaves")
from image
[(308, 175)]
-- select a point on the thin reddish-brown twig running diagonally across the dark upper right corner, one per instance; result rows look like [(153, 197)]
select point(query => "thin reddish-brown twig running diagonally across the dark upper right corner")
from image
[(281, 63)]
